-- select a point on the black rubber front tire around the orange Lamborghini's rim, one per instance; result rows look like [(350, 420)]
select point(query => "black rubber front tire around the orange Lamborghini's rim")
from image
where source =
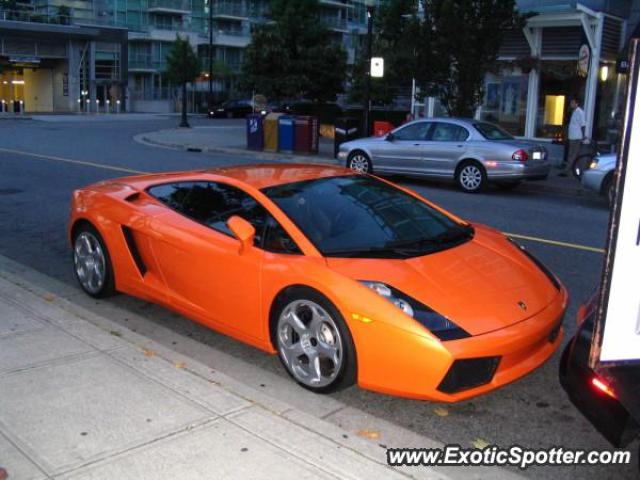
[(347, 373)]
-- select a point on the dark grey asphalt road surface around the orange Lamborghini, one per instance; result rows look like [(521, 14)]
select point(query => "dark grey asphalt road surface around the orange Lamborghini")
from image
[(42, 162)]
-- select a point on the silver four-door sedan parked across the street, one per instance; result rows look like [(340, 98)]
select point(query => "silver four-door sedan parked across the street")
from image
[(473, 153)]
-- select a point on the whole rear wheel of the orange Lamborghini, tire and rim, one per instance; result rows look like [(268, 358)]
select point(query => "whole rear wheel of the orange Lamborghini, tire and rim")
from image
[(92, 263)]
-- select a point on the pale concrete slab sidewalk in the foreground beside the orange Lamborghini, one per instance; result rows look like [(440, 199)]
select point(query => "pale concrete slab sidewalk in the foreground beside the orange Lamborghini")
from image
[(81, 398)]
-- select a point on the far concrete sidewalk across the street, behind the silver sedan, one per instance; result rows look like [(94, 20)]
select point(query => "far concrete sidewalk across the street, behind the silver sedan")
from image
[(231, 140)]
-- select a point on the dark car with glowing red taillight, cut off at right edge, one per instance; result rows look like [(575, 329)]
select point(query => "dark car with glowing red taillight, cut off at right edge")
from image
[(609, 397)]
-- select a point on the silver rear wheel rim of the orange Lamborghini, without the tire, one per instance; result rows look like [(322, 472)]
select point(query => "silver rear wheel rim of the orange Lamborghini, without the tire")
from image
[(90, 262)]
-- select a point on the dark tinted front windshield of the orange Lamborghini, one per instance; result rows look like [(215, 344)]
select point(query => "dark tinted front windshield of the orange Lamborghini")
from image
[(359, 216)]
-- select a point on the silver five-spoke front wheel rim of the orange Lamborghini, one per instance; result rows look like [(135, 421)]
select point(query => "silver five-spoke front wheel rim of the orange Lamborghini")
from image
[(309, 343)]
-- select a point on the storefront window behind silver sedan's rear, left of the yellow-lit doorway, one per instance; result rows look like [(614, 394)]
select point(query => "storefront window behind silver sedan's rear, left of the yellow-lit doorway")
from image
[(505, 100)]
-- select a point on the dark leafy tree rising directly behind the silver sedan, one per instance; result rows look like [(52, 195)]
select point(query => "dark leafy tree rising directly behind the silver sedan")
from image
[(457, 45)]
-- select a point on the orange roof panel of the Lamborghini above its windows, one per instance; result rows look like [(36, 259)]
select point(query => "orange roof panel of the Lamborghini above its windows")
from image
[(257, 175)]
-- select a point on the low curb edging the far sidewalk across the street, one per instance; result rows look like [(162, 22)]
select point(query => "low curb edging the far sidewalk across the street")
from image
[(532, 187)]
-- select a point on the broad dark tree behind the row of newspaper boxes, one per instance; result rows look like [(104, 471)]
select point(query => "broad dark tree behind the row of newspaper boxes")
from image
[(292, 55)]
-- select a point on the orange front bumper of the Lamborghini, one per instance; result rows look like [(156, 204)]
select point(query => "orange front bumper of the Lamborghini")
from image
[(418, 369)]
